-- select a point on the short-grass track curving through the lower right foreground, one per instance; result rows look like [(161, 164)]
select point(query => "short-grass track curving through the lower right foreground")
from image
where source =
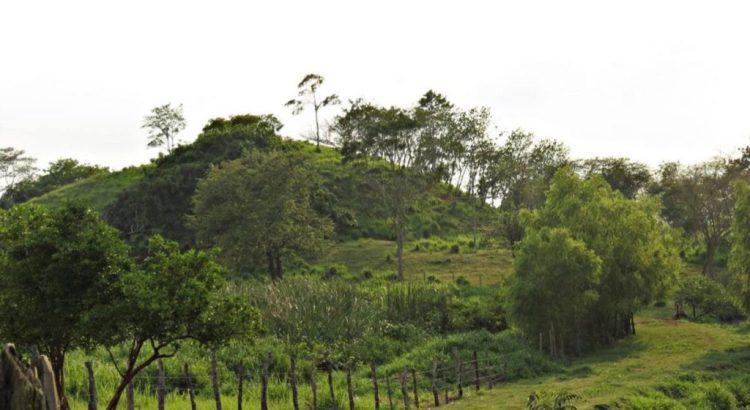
[(663, 351)]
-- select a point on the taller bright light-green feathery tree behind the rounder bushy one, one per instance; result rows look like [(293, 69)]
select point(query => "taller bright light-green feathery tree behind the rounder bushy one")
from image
[(637, 250)]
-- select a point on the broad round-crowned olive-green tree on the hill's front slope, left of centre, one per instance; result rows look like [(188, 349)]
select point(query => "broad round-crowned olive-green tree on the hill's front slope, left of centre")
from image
[(260, 209)]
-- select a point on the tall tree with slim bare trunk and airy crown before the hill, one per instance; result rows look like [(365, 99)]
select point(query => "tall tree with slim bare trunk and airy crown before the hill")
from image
[(407, 140)]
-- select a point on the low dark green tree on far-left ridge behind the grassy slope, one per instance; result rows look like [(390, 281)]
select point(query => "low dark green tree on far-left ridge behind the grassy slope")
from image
[(61, 172)]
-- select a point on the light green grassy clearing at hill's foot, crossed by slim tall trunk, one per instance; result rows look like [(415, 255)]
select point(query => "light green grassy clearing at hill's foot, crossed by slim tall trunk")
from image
[(485, 266)]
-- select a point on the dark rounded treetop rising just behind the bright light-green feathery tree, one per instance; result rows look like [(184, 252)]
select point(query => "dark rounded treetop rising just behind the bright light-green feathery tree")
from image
[(629, 177)]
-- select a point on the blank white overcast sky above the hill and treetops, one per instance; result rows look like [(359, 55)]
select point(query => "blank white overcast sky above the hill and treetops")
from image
[(653, 81)]
